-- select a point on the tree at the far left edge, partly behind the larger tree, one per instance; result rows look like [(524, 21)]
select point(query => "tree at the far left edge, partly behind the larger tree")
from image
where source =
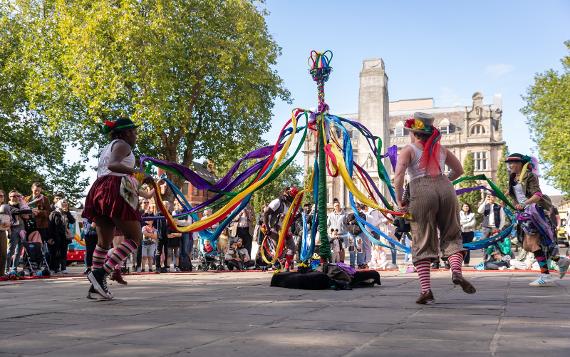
[(29, 151)]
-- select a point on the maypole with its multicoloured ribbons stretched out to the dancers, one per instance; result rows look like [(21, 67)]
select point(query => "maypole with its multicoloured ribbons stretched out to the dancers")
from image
[(333, 154)]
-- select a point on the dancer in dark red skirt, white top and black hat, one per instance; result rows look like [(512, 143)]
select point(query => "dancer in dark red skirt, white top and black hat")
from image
[(112, 203)]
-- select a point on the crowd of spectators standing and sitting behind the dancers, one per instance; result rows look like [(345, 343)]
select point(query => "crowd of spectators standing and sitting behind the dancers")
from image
[(36, 218)]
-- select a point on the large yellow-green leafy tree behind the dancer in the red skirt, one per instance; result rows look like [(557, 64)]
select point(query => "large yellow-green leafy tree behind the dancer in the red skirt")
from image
[(196, 75)]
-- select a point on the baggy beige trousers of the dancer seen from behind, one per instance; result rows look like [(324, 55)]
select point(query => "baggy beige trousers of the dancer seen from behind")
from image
[(434, 207)]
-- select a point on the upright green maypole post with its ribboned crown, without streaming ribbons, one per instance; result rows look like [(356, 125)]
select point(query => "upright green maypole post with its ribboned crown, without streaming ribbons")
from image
[(320, 71)]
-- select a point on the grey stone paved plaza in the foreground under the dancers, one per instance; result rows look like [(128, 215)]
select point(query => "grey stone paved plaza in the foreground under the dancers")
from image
[(238, 314)]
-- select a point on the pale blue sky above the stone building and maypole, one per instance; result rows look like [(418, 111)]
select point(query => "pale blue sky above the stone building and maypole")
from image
[(442, 49)]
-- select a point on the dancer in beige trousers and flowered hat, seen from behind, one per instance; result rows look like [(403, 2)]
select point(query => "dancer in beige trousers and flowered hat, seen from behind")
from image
[(432, 203)]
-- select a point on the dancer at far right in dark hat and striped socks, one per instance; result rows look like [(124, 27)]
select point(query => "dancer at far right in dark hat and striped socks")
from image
[(535, 228)]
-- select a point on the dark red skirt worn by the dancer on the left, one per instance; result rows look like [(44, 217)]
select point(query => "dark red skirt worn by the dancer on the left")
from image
[(104, 199)]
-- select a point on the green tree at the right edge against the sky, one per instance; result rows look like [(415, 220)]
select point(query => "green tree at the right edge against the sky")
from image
[(547, 110)]
